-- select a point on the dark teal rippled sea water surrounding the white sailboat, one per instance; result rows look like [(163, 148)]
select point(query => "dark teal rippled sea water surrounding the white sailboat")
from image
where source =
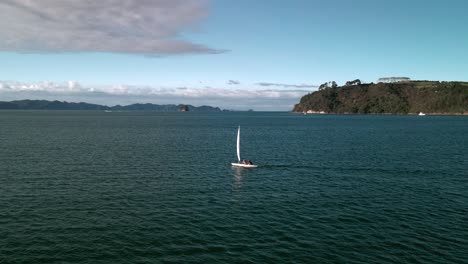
[(96, 187)]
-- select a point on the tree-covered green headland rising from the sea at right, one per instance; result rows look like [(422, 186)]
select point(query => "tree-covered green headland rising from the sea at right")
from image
[(394, 98)]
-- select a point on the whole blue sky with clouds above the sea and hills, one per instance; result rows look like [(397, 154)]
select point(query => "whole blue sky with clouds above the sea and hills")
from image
[(262, 55)]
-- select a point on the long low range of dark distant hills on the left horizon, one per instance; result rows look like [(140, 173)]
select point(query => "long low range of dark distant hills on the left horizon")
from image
[(58, 105)]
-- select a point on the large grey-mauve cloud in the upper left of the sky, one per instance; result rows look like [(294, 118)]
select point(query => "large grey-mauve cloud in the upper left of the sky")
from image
[(119, 26)]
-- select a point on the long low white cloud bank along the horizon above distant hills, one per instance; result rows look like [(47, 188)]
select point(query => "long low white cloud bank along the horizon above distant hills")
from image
[(259, 99)]
